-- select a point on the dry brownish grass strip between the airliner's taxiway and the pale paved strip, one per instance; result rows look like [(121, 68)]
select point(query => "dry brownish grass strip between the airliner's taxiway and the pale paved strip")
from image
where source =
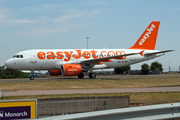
[(91, 83)]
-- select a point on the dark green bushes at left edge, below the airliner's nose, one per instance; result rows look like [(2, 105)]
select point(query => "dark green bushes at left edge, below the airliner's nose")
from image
[(7, 73)]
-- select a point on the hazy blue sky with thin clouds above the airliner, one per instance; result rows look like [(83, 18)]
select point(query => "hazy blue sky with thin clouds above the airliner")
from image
[(61, 24)]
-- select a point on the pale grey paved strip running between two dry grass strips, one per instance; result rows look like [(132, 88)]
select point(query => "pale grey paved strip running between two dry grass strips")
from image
[(85, 91)]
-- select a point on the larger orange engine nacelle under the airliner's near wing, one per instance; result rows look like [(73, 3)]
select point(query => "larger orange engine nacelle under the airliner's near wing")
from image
[(72, 69)]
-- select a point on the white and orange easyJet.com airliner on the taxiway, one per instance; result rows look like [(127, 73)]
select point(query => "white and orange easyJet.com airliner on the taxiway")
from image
[(70, 62)]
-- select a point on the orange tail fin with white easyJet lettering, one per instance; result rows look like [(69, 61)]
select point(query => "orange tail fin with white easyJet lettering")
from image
[(147, 41)]
